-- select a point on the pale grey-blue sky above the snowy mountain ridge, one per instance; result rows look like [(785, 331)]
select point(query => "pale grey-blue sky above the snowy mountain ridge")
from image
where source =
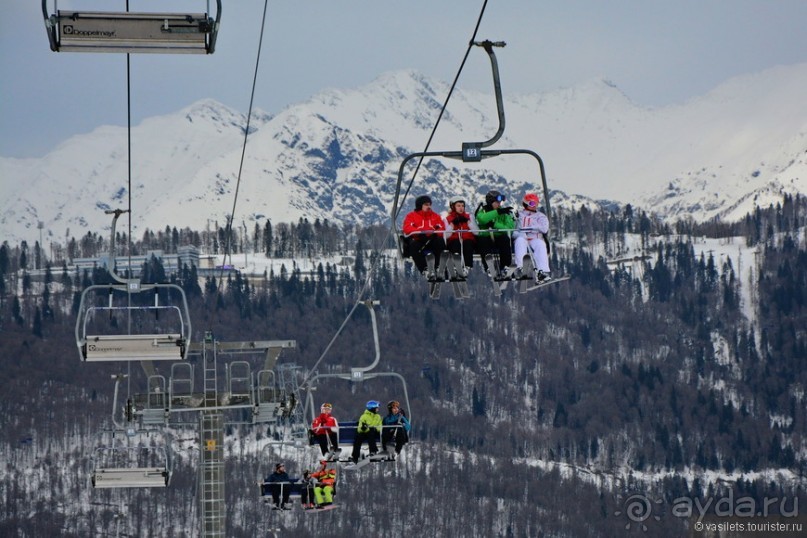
[(657, 52)]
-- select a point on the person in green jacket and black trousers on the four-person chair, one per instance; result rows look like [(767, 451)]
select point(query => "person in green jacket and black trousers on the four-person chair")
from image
[(500, 222)]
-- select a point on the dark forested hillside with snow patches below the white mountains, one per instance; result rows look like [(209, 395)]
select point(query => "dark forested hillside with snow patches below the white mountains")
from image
[(535, 413)]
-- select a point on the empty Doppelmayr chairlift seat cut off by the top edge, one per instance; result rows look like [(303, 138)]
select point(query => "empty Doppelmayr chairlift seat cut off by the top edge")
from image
[(129, 32)]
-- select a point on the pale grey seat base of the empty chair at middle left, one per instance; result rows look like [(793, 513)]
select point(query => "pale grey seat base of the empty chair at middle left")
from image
[(133, 347)]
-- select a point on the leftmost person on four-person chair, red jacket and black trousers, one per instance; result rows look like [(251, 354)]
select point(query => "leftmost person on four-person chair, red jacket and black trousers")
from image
[(424, 229)]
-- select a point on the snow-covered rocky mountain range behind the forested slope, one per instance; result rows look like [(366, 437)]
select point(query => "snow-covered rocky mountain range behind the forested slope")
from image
[(337, 156)]
